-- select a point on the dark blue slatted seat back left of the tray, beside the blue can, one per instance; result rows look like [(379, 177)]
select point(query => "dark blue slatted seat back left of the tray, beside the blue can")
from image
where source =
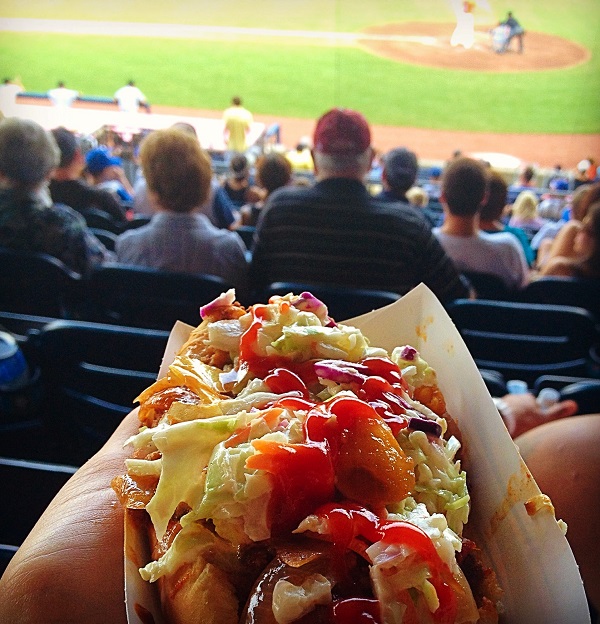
[(91, 375)]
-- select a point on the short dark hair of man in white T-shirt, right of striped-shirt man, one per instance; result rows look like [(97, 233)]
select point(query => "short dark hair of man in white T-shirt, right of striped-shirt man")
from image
[(464, 186)]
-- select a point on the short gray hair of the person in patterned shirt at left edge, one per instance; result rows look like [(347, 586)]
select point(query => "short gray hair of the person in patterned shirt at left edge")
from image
[(28, 153)]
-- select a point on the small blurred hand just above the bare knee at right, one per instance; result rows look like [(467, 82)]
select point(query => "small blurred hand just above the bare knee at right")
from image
[(521, 412)]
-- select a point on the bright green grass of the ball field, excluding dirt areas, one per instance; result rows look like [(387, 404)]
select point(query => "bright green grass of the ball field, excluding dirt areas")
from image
[(293, 80)]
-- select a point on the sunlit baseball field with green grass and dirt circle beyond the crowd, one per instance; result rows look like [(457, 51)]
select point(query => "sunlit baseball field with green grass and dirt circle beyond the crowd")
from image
[(391, 60)]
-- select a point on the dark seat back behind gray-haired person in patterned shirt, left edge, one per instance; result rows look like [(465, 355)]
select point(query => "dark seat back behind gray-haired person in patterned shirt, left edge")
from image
[(37, 284)]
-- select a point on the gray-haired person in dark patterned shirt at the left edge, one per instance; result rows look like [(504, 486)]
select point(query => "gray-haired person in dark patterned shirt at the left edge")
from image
[(28, 219)]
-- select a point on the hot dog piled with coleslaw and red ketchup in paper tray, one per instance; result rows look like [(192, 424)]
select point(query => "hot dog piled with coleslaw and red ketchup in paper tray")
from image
[(288, 471)]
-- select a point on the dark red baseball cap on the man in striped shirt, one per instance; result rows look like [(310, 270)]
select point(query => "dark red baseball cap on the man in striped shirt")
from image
[(342, 132)]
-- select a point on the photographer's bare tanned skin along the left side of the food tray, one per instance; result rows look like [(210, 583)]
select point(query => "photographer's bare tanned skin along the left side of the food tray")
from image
[(70, 567)]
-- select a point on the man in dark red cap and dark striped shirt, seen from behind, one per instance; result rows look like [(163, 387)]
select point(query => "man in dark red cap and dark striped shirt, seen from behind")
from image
[(335, 232)]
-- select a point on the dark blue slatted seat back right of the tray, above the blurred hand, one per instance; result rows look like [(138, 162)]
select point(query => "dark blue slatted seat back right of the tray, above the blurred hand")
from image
[(526, 341)]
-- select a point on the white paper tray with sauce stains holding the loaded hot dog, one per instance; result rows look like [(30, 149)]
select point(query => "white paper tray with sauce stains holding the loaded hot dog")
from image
[(531, 556)]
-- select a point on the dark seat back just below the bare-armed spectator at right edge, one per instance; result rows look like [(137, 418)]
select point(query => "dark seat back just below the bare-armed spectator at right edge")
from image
[(581, 292)]
